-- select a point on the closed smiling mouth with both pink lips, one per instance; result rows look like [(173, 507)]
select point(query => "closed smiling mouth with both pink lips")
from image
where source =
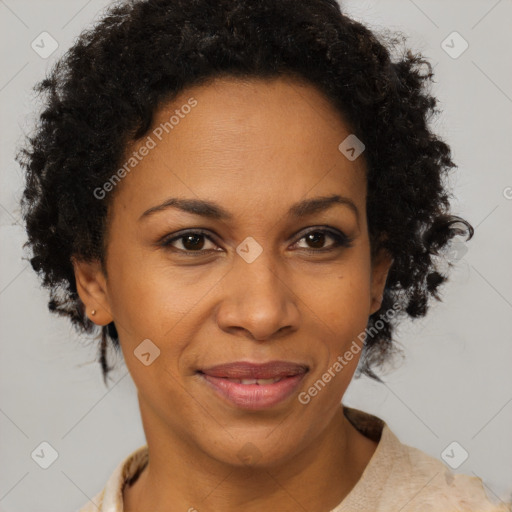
[(254, 386)]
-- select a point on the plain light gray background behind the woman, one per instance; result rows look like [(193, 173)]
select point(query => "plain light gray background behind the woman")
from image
[(456, 381)]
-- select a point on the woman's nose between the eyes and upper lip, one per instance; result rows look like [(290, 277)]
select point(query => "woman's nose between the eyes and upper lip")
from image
[(258, 300)]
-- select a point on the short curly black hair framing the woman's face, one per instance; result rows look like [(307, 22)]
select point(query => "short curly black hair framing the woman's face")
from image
[(104, 92)]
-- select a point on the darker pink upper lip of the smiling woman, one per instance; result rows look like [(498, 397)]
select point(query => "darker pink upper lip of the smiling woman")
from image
[(245, 370)]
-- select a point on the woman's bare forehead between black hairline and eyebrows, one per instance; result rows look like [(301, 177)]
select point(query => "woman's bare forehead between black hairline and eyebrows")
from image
[(266, 140)]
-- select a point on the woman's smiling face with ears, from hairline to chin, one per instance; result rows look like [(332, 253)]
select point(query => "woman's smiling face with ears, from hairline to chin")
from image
[(238, 251)]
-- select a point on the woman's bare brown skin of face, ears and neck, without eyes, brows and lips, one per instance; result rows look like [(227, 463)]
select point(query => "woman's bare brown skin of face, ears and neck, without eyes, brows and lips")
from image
[(254, 147)]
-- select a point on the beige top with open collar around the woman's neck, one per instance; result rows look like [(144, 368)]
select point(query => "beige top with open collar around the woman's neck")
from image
[(398, 478)]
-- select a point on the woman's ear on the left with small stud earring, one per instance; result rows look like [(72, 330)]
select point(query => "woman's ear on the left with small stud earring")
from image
[(91, 285)]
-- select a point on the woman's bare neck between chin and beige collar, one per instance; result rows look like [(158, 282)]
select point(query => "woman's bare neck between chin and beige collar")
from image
[(317, 479)]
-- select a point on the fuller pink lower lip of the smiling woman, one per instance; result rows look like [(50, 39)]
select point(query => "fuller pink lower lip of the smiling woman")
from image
[(254, 396)]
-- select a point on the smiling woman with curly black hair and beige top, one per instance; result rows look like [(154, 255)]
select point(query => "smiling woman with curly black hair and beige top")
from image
[(246, 198)]
